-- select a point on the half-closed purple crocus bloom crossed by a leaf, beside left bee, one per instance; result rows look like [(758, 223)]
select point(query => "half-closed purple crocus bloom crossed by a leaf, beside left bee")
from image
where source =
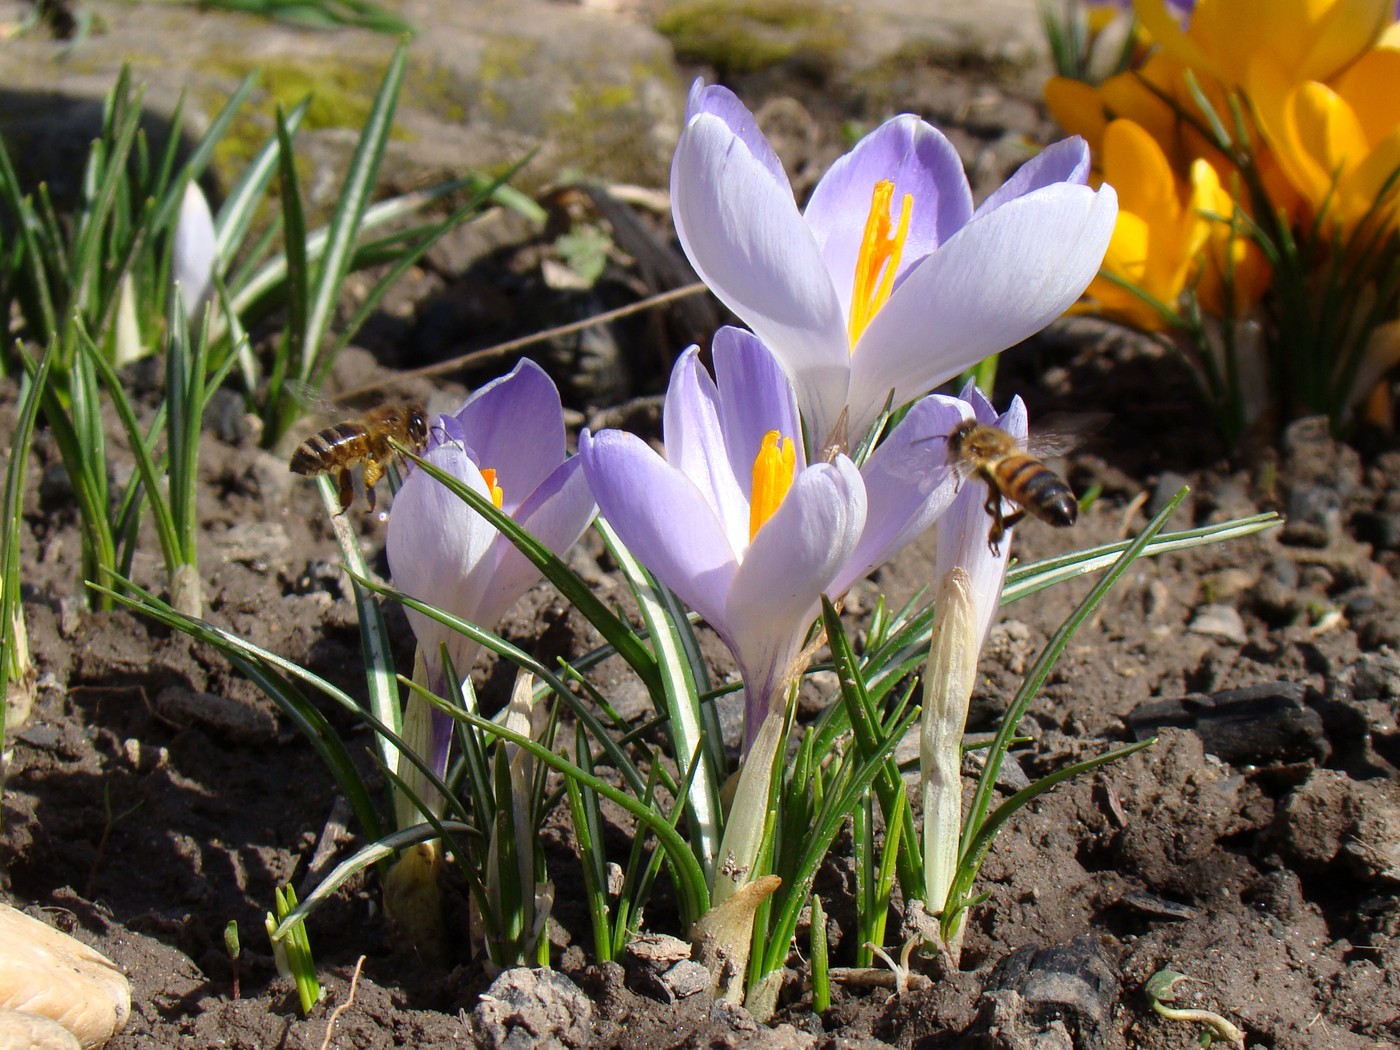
[(507, 443)]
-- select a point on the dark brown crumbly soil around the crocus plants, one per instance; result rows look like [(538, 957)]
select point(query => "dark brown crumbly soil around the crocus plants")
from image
[(1255, 848)]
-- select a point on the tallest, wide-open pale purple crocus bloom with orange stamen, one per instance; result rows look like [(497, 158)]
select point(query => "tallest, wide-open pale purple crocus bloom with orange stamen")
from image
[(890, 281)]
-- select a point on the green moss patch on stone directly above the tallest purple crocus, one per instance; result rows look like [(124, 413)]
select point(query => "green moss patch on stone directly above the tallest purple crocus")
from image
[(751, 36)]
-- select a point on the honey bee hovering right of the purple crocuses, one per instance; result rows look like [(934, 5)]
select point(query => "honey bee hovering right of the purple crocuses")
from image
[(1014, 472)]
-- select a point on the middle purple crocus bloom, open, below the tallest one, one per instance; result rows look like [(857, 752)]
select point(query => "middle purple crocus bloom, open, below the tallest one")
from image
[(752, 541)]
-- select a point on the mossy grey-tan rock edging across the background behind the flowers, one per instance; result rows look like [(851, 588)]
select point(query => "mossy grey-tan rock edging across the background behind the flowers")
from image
[(596, 87)]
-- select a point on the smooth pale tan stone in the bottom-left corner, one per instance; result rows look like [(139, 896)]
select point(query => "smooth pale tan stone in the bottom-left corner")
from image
[(47, 972)]
